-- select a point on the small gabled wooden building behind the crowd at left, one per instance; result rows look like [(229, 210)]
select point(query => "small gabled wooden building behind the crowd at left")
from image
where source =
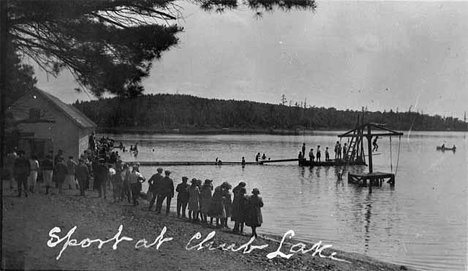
[(45, 123)]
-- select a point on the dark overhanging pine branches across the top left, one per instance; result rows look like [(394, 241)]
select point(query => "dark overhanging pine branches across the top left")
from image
[(108, 45)]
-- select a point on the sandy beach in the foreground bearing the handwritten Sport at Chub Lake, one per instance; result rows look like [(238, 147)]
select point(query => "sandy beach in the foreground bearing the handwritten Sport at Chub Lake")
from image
[(25, 246)]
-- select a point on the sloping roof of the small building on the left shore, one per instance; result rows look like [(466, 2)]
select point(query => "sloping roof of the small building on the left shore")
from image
[(69, 110)]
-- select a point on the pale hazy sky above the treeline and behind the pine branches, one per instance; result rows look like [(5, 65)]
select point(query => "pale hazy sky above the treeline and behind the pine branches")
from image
[(346, 54)]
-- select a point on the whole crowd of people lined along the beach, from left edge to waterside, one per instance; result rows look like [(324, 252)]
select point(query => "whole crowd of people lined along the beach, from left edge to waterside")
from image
[(103, 168)]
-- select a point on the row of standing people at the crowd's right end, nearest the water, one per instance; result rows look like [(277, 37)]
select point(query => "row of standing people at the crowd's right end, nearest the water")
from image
[(203, 200)]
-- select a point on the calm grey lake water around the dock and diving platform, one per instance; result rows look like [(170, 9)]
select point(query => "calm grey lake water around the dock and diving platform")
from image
[(421, 222)]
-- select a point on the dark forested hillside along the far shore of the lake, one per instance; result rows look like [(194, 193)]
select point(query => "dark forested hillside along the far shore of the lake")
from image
[(167, 111)]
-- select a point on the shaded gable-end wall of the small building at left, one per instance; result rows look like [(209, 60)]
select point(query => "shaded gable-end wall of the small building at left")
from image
[(63, 132)]
